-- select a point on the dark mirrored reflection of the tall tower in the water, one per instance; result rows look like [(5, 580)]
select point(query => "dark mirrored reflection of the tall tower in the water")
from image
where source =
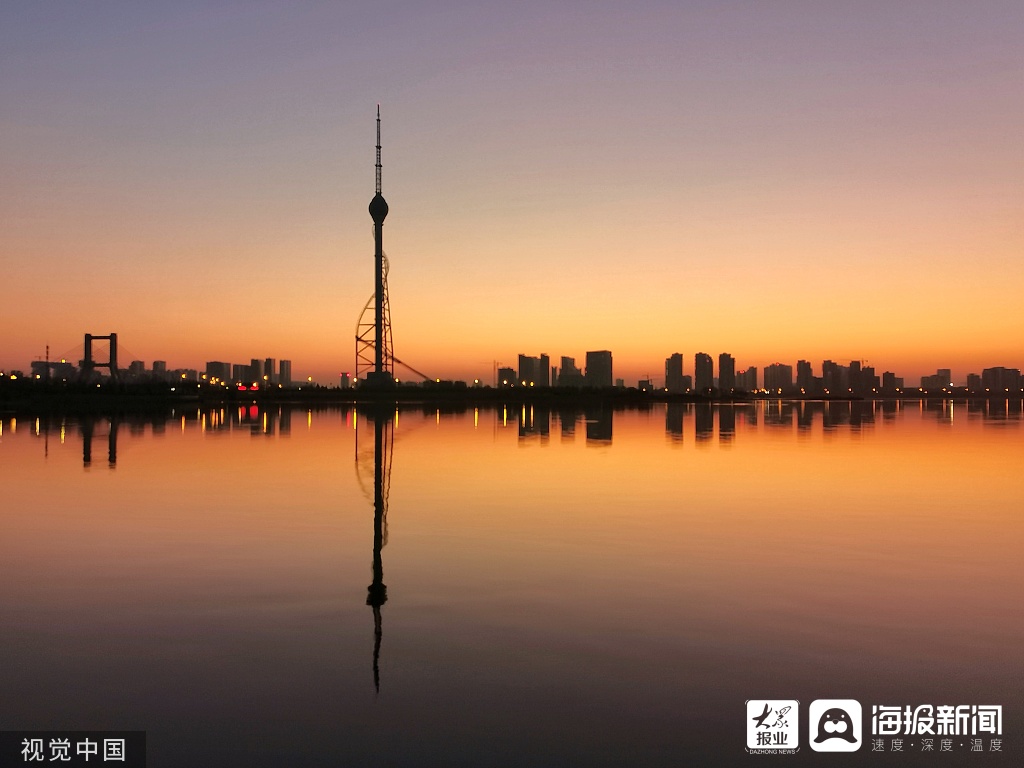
[(383, 421)]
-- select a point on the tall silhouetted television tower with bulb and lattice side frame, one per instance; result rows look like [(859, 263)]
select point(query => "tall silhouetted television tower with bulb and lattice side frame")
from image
[(382, 374)]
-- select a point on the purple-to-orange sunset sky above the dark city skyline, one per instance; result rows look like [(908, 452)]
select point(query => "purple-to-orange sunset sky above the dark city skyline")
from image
[(779, 181)]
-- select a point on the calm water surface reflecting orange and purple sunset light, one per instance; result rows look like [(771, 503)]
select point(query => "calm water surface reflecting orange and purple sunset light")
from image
[(535, 587)]
